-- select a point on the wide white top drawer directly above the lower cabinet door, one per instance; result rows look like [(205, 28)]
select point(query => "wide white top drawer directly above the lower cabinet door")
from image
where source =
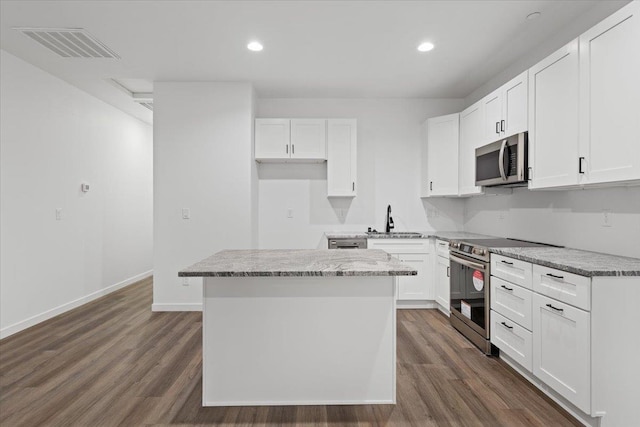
[(566, 287)]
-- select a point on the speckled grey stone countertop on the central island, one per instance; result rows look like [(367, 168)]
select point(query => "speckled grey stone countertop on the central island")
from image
[(299, 262)]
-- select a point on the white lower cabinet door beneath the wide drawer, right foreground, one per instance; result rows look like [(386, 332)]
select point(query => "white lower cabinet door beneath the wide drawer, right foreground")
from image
[(561, 349)]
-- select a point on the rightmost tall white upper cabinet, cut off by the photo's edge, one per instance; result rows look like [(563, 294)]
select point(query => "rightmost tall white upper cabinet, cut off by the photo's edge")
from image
[(610, 94)]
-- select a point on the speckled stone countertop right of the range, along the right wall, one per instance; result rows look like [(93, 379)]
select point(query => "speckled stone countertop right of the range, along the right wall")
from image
[(575, 261)]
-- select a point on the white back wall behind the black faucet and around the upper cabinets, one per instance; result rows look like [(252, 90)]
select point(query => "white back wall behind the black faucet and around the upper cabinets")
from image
[(389, 155)]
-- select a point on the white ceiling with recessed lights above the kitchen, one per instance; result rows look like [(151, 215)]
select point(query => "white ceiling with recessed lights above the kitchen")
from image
[(312, 48)]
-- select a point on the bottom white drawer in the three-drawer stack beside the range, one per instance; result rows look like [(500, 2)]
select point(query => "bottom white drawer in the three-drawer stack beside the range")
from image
[(512, 340)]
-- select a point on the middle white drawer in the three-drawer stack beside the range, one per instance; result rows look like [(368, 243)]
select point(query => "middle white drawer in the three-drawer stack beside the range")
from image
[(511, 301)]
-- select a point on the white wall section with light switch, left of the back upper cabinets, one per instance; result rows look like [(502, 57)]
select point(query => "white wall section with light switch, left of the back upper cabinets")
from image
[(203, 161)]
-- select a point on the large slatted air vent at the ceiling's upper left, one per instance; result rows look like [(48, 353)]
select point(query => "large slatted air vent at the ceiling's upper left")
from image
[(69, 42)]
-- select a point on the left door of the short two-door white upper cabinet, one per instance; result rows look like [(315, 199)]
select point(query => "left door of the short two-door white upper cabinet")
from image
[(272, 138)]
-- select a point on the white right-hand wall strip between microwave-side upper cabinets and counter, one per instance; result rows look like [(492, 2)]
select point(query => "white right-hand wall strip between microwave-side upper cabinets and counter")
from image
[(568, 218)]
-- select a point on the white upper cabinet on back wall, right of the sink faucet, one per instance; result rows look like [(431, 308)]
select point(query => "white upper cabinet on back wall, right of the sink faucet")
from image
[(442, 155)]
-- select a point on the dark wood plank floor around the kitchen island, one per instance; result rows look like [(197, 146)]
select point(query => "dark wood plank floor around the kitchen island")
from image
[(114, 362)]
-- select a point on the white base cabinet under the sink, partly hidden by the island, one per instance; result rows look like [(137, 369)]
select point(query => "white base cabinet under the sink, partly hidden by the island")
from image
[(417, 254)]
